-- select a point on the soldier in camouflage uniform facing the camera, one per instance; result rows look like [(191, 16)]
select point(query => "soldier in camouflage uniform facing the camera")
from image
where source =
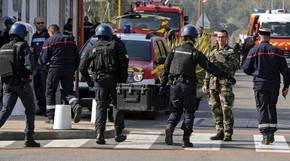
[(221, 96)]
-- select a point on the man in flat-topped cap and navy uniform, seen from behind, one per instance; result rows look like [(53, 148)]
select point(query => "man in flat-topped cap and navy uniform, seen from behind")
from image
[(265, 63)]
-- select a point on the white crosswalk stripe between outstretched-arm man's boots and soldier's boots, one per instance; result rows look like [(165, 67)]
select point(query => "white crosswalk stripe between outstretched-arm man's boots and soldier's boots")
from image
[(201, 141)]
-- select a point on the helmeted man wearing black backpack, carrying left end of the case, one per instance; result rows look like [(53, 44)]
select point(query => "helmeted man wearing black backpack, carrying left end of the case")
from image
[(109, 63)]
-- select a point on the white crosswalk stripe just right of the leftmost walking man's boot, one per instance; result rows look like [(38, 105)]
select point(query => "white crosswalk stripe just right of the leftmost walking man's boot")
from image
[(73, 143)]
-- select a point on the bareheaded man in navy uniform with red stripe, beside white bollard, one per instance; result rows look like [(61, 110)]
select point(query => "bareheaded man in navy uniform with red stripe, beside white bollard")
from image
[(59, 53)]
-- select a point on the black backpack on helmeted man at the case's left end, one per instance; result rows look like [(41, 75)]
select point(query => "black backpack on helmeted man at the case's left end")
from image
[(106, 63)]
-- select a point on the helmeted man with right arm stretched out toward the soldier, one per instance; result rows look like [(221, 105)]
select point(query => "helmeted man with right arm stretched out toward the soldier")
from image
[(180, 72)]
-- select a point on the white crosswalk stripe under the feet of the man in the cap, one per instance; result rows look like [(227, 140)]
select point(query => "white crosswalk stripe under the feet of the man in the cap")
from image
[(280, 145)]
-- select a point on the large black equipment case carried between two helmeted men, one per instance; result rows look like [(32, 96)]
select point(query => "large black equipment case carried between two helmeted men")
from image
[(141, 97)]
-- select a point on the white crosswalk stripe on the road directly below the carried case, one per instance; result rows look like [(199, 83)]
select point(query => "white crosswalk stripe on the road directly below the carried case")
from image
[(139, 141)]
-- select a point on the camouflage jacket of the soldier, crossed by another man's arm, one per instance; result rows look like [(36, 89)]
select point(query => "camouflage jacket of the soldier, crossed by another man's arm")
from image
[(230, 65)]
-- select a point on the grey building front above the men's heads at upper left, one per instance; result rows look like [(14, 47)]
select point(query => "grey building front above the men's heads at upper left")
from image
[(53, 11)]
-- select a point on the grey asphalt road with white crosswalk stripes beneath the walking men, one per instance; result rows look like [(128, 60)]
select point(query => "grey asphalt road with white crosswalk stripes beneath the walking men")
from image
[(146, 139)]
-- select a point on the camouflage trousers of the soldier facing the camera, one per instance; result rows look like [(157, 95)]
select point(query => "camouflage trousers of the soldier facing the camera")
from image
[(221, 103)]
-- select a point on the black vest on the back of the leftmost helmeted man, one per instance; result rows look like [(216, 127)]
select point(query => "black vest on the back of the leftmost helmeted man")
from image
[(8, 58)]
